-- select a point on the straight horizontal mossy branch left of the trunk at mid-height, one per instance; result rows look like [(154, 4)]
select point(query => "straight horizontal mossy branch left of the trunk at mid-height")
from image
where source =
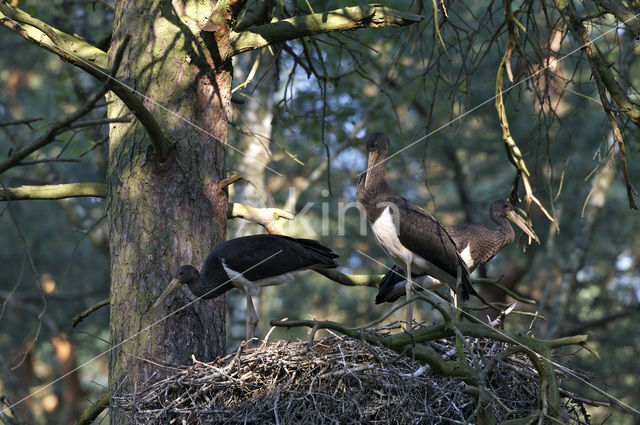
[(54, 191)]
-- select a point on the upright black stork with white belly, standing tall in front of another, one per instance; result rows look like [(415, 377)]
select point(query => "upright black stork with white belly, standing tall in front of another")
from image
[(406, 232)]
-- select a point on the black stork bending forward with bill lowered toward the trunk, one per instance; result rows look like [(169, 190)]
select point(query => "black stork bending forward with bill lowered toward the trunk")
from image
[(248, 263)]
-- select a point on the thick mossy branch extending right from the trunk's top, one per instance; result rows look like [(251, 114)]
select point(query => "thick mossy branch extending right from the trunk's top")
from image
[(348, 18)]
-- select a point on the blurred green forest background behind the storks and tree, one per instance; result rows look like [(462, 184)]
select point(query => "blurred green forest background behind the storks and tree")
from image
[(306, 112)]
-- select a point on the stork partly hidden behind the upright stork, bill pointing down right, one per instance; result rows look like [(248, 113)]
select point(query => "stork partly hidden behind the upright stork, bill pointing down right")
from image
[(476, 243)]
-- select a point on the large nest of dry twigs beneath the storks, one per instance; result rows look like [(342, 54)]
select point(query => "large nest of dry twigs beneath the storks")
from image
[(340, 381)]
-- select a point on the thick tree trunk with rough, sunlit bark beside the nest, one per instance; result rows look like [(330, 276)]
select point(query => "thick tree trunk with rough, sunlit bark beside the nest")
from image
[(163, 215)]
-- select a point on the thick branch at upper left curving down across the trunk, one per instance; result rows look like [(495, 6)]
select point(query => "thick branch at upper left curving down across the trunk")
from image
[(90, 59)]
